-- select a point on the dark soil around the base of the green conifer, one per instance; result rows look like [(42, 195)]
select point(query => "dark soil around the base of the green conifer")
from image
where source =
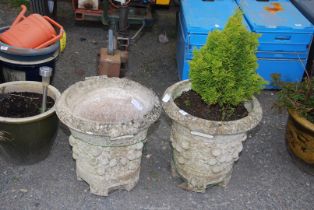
[(192, 103)]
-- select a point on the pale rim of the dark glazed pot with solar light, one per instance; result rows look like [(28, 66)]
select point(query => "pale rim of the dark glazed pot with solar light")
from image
[(55, 94)]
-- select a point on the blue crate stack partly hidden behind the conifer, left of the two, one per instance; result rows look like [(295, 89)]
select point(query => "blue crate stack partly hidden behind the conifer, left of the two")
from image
[(196, 19)]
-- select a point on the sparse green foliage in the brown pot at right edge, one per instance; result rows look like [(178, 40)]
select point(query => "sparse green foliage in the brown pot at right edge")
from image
[(296, 96)]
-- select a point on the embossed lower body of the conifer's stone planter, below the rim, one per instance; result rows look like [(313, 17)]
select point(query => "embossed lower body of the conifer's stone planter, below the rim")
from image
[(213, 168)]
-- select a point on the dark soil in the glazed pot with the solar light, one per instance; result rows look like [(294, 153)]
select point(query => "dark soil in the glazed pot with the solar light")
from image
[(22, 104)]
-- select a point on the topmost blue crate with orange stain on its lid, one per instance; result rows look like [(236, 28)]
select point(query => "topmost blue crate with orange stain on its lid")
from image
[(283, 30)]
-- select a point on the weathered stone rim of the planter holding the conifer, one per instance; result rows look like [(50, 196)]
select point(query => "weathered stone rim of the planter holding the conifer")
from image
[(211, 127)]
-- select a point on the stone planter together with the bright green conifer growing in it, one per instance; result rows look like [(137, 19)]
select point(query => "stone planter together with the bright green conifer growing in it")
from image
[(213, 111)]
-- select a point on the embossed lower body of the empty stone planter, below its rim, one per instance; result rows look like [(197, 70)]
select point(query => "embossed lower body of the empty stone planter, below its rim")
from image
[(107, 168)]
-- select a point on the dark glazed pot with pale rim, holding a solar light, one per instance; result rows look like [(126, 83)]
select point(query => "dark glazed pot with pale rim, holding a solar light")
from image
[(28, 140)]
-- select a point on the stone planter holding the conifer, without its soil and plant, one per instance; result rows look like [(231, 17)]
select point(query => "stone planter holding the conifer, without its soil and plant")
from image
[(204, 151)]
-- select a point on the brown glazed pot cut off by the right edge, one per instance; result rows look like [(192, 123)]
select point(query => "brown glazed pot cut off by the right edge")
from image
[(300, 141)]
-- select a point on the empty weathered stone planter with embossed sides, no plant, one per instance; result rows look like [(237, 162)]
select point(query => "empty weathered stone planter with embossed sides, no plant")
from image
[(108, 119)]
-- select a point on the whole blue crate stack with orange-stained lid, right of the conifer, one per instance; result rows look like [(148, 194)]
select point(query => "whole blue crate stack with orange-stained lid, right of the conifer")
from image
[(285, 39)]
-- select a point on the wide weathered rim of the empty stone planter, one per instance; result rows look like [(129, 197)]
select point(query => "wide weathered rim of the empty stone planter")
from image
[(91, 127)]
